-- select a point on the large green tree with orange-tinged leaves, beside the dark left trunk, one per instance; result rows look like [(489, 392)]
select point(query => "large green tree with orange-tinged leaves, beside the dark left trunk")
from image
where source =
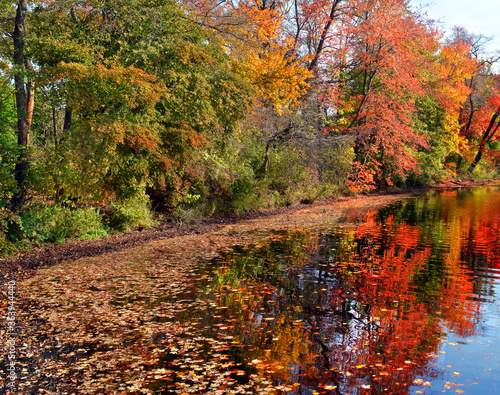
[(142, 92)]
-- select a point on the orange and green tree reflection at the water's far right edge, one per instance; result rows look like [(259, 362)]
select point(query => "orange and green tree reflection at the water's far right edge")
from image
[(469, 221)]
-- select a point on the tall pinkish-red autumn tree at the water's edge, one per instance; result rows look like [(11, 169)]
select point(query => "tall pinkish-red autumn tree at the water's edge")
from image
[(372, 84)]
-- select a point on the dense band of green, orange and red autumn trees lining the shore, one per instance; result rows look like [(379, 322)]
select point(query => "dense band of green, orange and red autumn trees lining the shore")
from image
[(111, 110)]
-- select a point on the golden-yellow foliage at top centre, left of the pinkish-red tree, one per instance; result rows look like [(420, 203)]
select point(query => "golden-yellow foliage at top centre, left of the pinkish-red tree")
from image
[(262, 54)]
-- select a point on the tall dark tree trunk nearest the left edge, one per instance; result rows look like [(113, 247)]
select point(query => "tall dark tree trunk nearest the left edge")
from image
[(23, 105)]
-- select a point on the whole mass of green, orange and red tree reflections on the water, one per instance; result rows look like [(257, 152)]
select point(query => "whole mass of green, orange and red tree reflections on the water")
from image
[(364, 307)]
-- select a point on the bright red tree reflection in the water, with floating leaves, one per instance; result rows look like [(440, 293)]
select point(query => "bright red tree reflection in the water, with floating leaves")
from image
[(382, 334)]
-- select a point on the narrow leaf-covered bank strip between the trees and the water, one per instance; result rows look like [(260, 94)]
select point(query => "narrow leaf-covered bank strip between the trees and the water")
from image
[(300, 215)]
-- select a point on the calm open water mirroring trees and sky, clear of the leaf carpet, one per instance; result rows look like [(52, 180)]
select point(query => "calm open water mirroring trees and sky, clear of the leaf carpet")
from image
[(405, 300)]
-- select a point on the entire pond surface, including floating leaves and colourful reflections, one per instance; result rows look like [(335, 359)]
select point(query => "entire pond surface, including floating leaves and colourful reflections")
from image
[(400, 300)]
